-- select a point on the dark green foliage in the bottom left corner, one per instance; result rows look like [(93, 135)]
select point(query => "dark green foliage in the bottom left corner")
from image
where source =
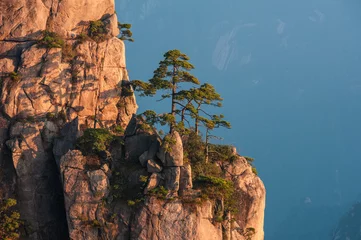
[(9, 220)]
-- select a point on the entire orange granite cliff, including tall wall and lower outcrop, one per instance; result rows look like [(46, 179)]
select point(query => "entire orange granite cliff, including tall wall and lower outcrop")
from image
[(62, 72)]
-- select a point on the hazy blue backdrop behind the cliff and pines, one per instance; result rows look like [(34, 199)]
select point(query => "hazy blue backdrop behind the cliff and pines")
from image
[(290, 75)]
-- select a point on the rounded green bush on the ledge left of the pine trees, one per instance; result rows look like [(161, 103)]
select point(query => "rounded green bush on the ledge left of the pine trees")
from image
[(94, 141)]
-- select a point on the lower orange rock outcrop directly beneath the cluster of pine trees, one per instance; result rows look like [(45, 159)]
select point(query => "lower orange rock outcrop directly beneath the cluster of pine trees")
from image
[(97, 206)]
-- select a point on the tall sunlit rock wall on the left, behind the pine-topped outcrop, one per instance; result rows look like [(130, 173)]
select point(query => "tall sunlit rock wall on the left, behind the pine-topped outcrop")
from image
[(44, 88)]
